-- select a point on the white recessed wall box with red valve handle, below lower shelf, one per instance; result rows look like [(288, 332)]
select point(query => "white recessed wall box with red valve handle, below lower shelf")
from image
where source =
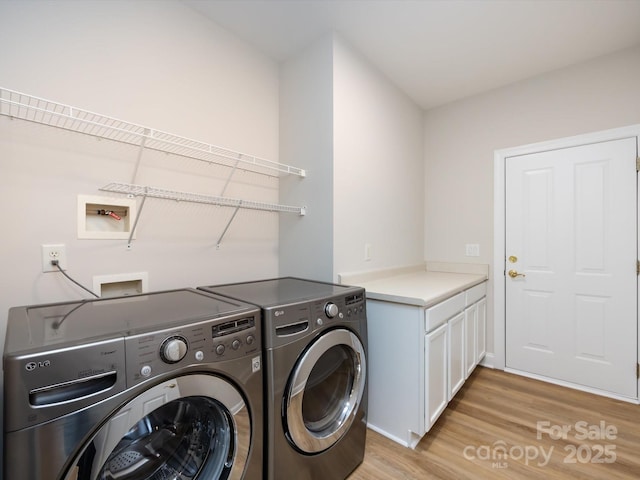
[(105, 218)]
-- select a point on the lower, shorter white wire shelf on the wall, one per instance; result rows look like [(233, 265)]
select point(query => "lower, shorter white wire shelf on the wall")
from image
[(144, 191)]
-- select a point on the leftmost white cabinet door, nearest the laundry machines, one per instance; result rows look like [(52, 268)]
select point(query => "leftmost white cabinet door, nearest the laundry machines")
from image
[(436, 372)]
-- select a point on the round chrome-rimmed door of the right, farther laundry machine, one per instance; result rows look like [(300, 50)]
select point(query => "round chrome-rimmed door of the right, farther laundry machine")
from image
[(324, 391)]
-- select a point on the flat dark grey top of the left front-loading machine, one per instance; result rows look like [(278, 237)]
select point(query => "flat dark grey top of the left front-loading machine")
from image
[(31, 328)]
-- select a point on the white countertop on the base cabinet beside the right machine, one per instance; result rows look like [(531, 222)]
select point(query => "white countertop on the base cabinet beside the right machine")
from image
[(419, 287)]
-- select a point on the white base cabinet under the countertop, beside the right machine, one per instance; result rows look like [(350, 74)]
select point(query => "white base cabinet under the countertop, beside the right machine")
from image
[(419, 359)]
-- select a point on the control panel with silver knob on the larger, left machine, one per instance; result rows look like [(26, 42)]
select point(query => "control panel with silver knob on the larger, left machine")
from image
[(208, 341)]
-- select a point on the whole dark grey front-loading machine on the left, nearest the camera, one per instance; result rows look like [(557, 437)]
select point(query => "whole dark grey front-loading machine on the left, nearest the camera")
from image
[(158, 386)]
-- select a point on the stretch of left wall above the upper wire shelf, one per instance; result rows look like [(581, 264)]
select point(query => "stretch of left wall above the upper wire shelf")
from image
[(160, 64)]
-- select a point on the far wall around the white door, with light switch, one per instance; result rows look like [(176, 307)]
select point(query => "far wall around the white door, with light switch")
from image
[(460, 140)]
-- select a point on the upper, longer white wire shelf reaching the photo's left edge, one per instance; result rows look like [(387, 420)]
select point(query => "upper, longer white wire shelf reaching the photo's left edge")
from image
[(26, 107)]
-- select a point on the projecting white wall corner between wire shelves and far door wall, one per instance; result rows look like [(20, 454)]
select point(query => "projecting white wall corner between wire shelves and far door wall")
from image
[(361, 141)]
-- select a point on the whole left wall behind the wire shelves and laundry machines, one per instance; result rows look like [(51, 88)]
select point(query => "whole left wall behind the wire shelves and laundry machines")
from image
[(159, 64)]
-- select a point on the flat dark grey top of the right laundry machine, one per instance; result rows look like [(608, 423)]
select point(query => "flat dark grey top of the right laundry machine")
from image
[(280, 291)]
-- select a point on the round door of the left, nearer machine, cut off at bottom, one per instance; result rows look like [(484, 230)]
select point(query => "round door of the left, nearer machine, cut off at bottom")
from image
[(192, 427)]
